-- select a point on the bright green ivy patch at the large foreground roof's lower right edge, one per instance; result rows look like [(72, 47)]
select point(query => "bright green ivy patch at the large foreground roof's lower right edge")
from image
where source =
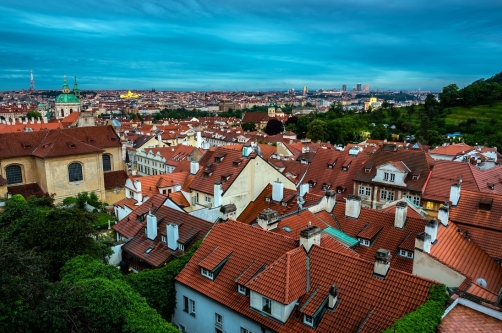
[(426, 317)]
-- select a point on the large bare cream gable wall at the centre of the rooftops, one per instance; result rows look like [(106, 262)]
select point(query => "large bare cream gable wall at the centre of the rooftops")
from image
[(255, 176)]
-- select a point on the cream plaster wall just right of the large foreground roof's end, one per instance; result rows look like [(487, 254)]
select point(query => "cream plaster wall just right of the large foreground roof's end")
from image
[(428, 267)]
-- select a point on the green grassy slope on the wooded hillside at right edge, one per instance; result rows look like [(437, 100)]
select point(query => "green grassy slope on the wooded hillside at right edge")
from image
[(484, 114)]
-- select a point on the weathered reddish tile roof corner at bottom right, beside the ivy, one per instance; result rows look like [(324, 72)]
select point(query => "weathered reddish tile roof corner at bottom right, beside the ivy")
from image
[(462, 319)]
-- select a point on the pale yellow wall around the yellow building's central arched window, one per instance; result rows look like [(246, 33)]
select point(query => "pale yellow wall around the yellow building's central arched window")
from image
[(56, 171)]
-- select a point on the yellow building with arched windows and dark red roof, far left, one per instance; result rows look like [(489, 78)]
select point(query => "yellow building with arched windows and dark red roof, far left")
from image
[(64, 162)]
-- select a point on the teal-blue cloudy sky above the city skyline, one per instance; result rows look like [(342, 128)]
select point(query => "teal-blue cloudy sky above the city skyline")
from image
[(249, 45)]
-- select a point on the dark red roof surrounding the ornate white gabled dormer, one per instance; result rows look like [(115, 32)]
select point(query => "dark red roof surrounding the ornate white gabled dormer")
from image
[(413, 159)]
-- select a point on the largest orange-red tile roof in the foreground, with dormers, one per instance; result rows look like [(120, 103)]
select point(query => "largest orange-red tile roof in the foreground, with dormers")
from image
[(365, 302)]
